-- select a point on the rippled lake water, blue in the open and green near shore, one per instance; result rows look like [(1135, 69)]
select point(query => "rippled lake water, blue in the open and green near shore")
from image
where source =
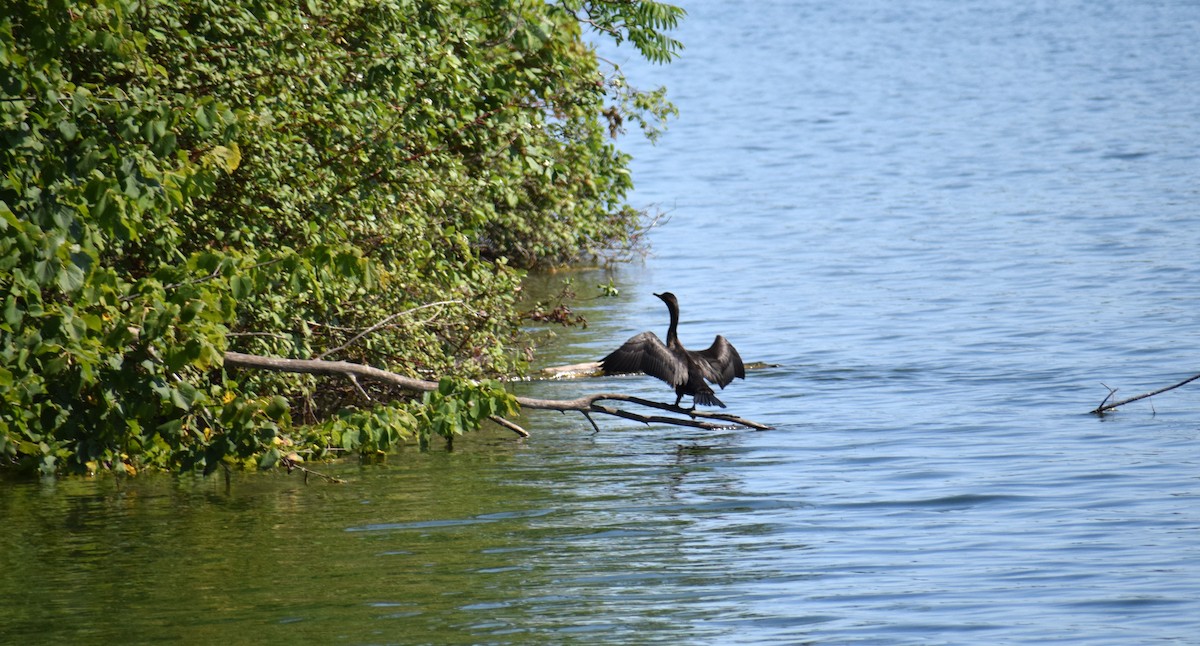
[(947, 224)]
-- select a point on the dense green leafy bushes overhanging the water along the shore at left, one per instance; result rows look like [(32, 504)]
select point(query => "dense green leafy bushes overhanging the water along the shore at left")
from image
[(340, 182)]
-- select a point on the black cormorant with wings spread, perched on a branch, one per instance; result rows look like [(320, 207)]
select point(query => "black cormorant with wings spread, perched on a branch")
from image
[(683, 369)]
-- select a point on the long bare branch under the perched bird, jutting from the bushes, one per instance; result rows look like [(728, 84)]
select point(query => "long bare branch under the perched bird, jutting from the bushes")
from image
[(585, 405)]
